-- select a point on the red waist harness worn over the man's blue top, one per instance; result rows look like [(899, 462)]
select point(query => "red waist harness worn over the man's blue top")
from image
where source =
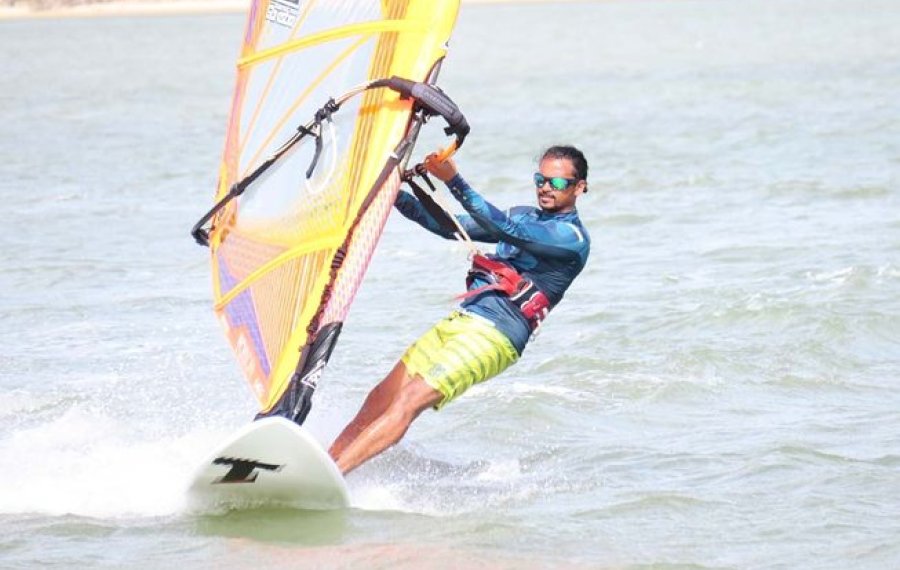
[(523, 293)]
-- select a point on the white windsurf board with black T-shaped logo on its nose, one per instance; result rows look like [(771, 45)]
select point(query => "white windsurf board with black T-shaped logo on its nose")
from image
[(270, 462)]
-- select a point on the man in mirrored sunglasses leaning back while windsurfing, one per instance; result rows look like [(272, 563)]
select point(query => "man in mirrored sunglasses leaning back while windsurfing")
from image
[(539, 253)]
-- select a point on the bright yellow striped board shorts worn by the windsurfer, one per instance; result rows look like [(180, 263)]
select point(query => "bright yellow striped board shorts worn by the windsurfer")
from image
[(459, 352)]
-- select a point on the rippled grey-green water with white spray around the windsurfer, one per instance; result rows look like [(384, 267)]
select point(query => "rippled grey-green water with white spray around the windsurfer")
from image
[(718, 389)]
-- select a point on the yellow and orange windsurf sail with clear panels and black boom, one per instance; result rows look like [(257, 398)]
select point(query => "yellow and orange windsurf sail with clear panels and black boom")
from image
[(329, 97)]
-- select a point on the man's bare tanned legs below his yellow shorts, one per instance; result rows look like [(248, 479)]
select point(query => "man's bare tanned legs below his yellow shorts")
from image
[(375, 432)]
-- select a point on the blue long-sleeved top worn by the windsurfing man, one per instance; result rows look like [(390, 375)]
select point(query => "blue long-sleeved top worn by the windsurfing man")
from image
[(550, 249)]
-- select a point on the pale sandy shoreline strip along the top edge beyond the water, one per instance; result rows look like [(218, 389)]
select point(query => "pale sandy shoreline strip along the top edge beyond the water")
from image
[(160, 7)]
